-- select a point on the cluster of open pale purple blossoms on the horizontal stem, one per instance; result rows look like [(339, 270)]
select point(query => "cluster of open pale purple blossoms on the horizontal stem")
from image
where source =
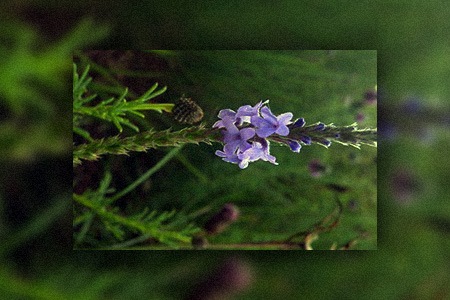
[(246, 131)]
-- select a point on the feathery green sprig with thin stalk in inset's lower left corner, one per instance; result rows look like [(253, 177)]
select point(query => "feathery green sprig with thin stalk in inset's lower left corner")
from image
[(148, 225)]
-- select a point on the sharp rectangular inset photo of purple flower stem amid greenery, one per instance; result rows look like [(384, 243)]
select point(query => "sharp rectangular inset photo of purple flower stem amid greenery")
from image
[(225, 150)]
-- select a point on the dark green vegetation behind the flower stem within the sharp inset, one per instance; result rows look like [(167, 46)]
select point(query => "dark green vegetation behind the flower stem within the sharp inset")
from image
[(275, 202)]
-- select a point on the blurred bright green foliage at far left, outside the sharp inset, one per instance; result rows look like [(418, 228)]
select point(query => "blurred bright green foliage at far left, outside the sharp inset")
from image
[(33, 73)]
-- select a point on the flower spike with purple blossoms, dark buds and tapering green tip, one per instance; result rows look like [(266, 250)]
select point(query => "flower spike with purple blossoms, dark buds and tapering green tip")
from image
[(247, 133)]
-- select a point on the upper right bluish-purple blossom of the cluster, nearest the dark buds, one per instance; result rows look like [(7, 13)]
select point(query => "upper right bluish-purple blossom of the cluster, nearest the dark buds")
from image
[(270, 124)]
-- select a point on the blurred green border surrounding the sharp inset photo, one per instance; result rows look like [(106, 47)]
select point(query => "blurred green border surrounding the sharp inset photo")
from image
[(38, 39)]
